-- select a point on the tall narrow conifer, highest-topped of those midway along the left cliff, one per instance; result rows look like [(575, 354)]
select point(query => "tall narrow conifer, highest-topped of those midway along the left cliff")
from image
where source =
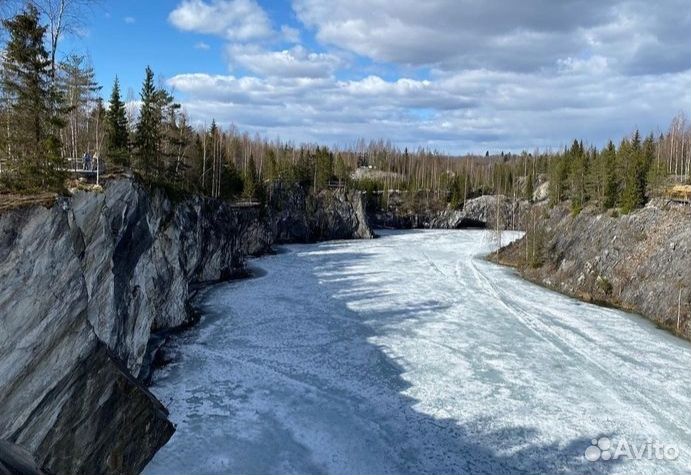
[(147, 135)]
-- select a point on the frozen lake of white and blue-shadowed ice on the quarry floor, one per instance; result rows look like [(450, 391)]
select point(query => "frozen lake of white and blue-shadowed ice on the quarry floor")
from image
[(411, 354)]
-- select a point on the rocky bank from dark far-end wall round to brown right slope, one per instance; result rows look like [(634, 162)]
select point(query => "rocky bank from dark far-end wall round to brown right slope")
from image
[(637, 262)]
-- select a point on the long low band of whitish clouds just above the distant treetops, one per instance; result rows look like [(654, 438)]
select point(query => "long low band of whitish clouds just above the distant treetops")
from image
[(460, 112)]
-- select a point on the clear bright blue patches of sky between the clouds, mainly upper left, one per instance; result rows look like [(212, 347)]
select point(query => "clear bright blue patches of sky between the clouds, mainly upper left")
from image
[(123, 37)]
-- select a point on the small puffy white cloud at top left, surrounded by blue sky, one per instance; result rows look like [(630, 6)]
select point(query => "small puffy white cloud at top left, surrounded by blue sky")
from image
[(238, 20)]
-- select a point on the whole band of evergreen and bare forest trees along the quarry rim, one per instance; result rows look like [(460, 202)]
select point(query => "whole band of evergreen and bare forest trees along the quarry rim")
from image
[(52, 109)]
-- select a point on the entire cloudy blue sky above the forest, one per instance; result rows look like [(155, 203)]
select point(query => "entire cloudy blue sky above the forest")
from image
[(459, 76)]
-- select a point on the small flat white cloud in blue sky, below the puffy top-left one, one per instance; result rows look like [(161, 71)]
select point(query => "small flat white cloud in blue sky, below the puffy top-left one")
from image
[(294, 62)]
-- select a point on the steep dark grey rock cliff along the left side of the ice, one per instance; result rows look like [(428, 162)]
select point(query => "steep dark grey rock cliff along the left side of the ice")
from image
[(86, 281)]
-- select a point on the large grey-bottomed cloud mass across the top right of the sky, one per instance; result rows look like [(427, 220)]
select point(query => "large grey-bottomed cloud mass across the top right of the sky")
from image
[(637, 36)]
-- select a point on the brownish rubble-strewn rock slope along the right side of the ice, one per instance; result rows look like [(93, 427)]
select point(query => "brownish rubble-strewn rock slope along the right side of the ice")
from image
[(639, 262)]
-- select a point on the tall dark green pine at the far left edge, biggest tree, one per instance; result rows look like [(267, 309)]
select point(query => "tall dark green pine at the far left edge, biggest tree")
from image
[(32, 102)]
